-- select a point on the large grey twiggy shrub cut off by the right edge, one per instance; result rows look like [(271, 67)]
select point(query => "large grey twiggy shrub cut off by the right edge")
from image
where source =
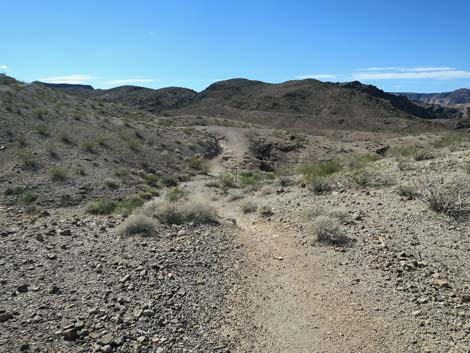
[(449, 197)]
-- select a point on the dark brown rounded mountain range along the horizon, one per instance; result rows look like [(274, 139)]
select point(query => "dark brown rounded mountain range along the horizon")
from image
[(304, 104)]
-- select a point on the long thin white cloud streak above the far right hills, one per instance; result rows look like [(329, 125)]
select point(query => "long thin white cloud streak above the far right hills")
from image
[(446, 74)]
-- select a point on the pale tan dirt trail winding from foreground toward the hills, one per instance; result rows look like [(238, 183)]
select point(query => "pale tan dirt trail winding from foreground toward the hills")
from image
[(295, 299)]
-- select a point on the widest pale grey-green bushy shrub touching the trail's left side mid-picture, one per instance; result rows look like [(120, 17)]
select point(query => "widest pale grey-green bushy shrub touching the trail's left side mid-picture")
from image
[(181, 212)]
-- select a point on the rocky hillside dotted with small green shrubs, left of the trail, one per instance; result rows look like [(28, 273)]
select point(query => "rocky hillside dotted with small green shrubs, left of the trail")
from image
[(57, 149)]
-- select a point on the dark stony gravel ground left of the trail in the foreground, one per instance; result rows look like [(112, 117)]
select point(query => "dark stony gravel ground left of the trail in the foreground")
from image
[(69, 284)]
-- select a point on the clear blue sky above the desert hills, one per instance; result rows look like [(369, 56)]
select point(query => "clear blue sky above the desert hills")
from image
[(420, 45)]
